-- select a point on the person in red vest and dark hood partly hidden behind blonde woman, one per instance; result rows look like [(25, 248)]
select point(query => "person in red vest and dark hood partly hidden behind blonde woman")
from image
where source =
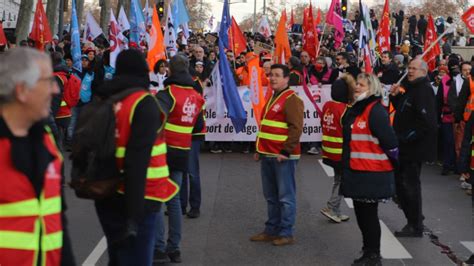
[(332, 142)]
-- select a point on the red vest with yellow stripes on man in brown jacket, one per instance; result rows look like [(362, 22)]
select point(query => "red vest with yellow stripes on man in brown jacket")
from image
[(273, 128)]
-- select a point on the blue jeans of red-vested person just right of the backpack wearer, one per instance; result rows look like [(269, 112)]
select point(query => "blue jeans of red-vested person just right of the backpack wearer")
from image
[(175, 220)]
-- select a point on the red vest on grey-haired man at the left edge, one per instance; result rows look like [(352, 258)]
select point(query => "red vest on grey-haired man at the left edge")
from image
[(30, 226)]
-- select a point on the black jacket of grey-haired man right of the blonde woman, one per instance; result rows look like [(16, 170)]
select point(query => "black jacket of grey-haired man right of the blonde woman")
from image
[(415, 121)]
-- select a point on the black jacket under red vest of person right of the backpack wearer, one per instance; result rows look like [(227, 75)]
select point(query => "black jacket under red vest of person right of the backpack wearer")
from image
[(177, 158)]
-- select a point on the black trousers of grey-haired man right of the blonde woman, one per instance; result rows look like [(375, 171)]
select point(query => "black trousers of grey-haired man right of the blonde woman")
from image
[(408, 187)]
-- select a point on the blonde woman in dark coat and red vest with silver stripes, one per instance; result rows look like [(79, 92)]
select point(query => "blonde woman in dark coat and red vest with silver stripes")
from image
[(370, 148)]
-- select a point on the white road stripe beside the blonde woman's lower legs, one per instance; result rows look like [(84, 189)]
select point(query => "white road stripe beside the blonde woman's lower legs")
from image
[(390, 247)]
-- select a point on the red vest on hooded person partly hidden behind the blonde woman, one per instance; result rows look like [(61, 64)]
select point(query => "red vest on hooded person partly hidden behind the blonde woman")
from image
[(332, 130)]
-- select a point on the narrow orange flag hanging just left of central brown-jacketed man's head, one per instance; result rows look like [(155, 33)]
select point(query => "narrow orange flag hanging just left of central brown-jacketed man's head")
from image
[(255, 87)]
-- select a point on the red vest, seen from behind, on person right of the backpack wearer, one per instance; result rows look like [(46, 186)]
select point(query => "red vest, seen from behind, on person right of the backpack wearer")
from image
[(183, 115)]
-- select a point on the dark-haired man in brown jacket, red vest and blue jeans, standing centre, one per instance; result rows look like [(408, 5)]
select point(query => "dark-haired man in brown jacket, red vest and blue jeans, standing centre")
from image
[(278, 148)]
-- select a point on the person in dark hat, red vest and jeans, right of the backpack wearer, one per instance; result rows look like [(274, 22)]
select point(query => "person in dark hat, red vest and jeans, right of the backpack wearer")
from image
[(183, 106)]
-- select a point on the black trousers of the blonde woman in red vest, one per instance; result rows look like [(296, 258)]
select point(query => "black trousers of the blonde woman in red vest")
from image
[(369, 225)]
